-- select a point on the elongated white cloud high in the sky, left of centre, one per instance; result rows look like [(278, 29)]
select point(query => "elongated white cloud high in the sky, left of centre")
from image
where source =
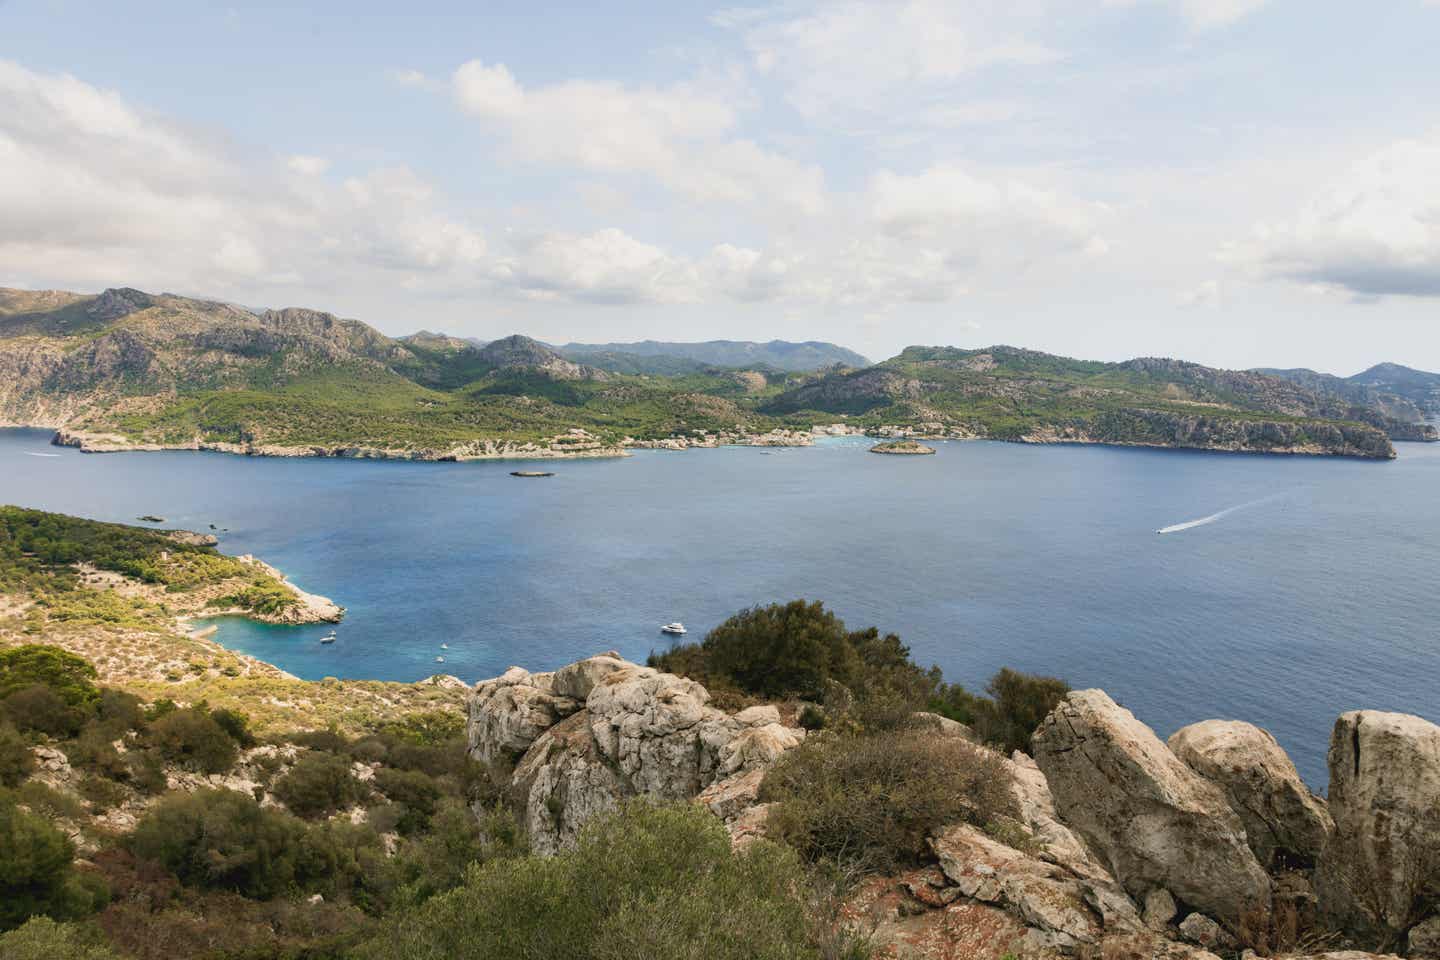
[(679, 135)]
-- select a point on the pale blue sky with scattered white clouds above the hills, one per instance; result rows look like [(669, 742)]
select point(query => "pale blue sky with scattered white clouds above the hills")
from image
[(1232, 182)]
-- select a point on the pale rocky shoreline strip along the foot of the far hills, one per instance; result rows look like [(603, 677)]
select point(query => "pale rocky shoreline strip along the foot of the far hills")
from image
[(582, 445)]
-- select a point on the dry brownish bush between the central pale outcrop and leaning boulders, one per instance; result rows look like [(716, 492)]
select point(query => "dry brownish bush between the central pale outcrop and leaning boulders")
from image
[(872, 801)]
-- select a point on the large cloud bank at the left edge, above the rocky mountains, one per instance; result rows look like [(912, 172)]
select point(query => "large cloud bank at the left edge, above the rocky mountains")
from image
[(99, 192)]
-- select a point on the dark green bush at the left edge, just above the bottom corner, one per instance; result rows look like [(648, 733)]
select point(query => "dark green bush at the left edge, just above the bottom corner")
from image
[(37, 871)]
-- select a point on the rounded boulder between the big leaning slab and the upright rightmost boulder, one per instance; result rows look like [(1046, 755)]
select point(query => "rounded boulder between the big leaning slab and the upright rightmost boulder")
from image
[(1281, 815)]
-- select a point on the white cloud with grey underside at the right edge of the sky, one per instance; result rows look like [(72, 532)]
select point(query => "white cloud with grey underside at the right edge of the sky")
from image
[(1373, 232)]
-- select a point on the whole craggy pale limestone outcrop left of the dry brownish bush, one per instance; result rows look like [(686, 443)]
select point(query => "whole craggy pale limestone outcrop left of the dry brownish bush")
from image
[(604, 729)]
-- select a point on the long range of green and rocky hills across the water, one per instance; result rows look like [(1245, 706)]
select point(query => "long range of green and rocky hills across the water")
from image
[(133, 371)]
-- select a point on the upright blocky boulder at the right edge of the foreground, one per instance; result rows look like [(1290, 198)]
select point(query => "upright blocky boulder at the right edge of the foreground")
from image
[(1383, 863)]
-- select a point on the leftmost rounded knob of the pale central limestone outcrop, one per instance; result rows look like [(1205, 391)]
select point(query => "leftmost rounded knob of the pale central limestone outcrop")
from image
[(510, 712)]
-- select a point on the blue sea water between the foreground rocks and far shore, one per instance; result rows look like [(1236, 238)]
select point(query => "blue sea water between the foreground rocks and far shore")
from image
[(1318, 595)]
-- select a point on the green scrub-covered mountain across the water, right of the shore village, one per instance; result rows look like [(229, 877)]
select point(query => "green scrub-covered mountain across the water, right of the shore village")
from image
[(1023, 395)]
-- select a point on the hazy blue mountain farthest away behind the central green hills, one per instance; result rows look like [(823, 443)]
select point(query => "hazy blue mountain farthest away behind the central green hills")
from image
[(778, 355)]
